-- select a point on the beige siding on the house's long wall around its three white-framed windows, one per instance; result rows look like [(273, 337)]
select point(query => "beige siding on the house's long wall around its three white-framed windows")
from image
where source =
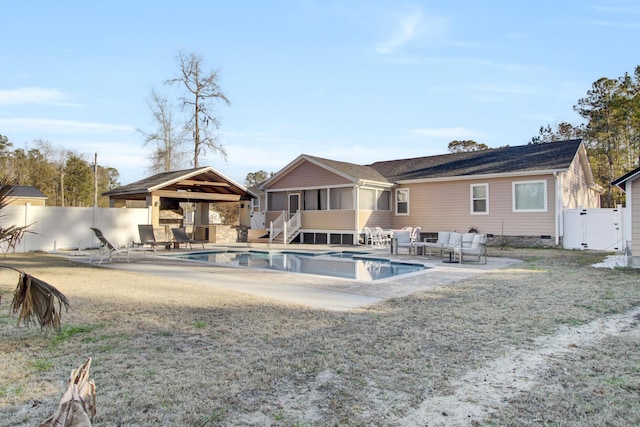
[(442, 206)]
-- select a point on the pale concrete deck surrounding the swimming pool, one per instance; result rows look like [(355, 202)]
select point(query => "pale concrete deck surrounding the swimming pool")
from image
[(313, 291)]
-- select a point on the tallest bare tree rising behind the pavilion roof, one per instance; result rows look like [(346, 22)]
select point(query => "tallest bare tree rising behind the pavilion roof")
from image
[(200, 91)]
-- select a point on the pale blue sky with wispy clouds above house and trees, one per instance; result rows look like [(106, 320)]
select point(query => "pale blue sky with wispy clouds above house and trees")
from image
[(355, 81)]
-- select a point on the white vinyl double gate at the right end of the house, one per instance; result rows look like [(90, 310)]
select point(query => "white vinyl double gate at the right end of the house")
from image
[(600, 229)]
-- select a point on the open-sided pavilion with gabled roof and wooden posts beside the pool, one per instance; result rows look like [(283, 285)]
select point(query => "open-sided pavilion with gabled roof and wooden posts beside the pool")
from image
[(201, 186)]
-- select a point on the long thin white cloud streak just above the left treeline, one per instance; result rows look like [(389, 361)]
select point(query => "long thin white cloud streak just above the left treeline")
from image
[(60, 126)]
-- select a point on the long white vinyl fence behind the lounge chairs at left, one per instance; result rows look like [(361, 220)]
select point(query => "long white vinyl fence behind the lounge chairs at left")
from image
[(57, 228)]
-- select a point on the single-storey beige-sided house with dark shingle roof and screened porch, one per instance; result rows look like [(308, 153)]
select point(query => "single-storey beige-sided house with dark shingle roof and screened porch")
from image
[(514, 194)]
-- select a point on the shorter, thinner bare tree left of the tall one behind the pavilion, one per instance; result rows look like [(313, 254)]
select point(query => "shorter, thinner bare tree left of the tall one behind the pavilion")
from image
[(166, 155)]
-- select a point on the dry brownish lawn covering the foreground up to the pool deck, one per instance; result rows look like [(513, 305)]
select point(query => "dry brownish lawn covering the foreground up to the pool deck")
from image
[(171, 353)]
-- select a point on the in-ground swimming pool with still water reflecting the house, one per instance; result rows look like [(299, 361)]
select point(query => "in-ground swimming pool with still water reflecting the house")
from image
[(348, 265)]
